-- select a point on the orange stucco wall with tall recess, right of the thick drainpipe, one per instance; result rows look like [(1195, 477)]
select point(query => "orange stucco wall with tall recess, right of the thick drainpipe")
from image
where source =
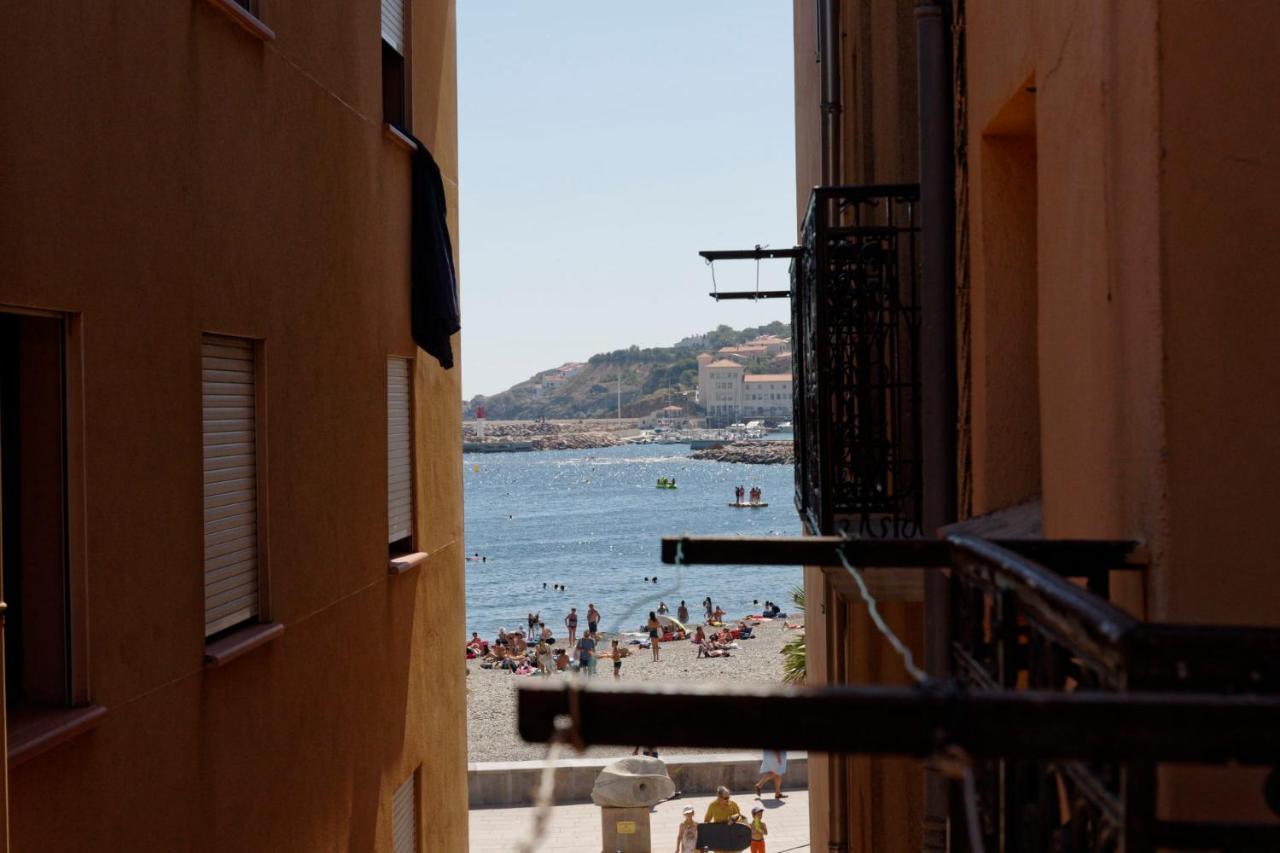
[(1156, 185)]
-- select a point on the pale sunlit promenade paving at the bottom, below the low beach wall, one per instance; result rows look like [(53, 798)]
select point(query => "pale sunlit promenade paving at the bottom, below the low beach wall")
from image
[(577, 828)]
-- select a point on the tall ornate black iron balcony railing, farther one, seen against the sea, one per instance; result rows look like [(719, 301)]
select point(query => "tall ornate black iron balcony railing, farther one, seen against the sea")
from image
[(856, 325)]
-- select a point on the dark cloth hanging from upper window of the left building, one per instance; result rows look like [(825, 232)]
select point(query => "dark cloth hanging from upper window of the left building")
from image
[(433, 281)]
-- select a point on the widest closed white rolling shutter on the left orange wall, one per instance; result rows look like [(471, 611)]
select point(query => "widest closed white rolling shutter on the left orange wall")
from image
[(231, 482)]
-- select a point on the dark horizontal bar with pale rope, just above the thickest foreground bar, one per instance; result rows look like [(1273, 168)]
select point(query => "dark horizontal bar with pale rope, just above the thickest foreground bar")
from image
[(1069, 558)]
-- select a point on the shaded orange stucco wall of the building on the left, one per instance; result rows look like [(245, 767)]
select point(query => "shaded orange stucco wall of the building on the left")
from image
[(167, 175)]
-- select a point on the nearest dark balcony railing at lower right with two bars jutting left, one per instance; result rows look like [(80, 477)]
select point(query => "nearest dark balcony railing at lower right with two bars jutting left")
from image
[(1066, 704)]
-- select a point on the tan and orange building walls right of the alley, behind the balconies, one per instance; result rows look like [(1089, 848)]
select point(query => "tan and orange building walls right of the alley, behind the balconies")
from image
[(1113, 357)]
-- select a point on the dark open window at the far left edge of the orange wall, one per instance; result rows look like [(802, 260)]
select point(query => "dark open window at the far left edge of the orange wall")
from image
[(34, 512)]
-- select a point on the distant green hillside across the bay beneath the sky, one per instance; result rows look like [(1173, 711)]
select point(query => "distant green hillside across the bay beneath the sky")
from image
[(652, 378)]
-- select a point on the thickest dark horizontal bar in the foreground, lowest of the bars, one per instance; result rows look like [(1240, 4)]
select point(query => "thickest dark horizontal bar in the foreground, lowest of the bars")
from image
[(913, 722)]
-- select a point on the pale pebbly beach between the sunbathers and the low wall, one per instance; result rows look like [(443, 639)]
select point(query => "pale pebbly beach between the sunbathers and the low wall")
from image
[(492, 694)]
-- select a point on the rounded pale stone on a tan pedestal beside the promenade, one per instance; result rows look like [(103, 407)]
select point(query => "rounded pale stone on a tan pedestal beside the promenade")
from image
[(625, 792)]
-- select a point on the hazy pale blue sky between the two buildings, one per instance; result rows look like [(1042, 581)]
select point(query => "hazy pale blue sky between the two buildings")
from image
[(602, 145)]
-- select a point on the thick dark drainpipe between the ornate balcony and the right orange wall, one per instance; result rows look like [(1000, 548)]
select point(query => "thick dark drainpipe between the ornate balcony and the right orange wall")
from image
[(938, 349)]
